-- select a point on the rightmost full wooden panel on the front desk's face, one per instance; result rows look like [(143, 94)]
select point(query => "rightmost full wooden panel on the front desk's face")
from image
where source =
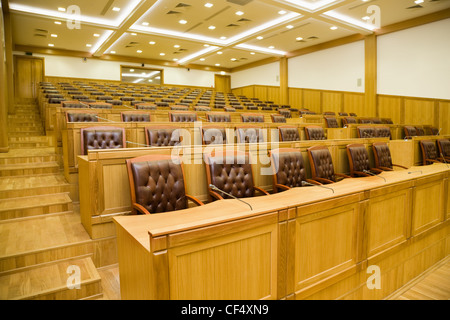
[(428, 204)]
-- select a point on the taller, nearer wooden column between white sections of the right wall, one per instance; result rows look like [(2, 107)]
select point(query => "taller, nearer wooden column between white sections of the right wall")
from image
[(370, 99)]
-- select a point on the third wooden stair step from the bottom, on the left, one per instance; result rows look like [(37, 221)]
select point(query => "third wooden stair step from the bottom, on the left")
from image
[(33, 206)]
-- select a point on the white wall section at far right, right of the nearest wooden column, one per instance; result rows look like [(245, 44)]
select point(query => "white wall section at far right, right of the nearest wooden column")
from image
[(416, 62)]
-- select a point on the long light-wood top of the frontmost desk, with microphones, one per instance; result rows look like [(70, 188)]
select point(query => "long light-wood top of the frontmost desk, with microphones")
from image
[(140, 227)]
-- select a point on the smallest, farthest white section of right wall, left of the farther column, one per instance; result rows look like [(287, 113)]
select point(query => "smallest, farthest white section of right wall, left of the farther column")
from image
[(266, 75)]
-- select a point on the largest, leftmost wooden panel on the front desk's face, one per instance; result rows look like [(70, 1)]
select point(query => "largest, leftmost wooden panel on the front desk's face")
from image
[(238, 266)]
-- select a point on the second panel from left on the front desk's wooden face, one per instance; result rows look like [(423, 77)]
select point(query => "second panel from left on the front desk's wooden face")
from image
[(325, 243)]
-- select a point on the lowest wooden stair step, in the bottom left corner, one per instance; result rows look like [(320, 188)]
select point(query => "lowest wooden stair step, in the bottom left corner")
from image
[(51, 282)]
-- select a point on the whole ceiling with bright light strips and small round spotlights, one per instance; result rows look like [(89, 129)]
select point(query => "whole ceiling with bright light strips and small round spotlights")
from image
[(284, 25)]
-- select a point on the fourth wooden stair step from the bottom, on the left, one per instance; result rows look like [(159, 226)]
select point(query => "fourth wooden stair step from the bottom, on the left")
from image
[(26, 186)]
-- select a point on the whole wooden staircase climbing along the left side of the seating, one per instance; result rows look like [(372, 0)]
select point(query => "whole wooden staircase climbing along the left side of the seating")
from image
[(44, 249)]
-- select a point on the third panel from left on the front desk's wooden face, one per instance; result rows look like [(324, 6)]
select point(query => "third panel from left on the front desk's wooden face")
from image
[(387, 220)]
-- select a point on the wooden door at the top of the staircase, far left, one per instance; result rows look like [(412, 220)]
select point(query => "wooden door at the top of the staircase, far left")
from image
[(28, 73)]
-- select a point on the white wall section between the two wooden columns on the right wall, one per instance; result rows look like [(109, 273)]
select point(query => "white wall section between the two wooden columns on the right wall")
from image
[(339, 68)]
